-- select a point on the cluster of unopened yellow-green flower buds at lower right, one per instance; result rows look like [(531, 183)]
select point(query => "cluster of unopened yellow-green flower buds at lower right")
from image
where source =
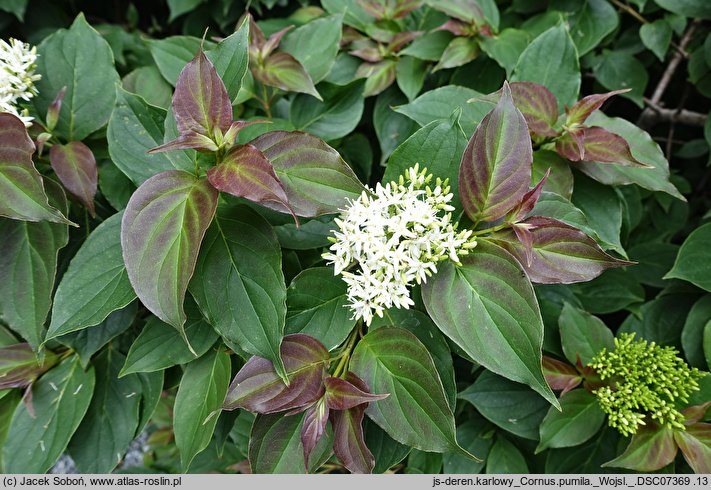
[(646, 380)]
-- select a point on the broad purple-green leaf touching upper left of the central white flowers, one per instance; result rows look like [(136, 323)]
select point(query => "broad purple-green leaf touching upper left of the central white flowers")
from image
[(316, 179)]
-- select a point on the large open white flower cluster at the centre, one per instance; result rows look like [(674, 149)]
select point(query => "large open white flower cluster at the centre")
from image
[(396, 235)]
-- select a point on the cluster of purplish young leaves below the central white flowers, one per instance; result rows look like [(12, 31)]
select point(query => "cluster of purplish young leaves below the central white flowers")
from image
[(258, 388)]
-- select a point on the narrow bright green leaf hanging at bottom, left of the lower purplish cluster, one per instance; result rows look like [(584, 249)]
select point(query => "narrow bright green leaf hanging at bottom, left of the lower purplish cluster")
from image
[(201, 392)]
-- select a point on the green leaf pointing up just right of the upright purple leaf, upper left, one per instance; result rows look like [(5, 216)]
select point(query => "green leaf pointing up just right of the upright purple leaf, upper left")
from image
[(230, 58)]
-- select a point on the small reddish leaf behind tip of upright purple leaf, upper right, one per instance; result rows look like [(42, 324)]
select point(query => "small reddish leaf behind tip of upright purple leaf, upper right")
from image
[(538, 105)]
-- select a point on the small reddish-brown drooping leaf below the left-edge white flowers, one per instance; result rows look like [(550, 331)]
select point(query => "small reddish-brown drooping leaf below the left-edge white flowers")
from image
[(75, 165)]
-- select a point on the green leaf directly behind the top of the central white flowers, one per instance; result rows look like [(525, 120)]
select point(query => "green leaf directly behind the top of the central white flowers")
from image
[(438, 146)]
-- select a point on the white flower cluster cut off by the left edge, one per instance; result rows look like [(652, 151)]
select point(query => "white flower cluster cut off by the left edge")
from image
[(17, 77)]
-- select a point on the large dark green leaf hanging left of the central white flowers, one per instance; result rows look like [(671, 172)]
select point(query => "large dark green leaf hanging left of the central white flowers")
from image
[(239, 284)]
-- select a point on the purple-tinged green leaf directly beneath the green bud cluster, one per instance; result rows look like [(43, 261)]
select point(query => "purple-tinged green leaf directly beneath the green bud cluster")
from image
[(651, 448)]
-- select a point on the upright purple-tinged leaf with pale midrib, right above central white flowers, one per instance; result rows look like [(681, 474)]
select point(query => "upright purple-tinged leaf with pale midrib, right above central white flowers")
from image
[(496, 165)]
